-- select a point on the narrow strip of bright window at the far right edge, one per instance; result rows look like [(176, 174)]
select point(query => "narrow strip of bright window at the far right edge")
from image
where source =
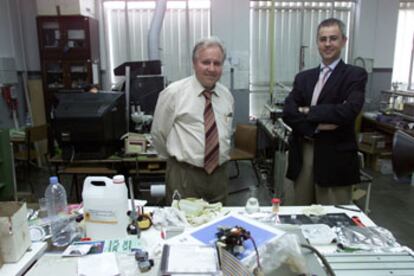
[(404, 47)]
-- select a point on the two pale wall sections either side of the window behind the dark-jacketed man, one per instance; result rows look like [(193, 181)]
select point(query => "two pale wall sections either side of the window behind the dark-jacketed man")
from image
[(375, 31)]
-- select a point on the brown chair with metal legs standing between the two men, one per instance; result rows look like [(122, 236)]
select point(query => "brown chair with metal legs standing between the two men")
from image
[(245, 144)]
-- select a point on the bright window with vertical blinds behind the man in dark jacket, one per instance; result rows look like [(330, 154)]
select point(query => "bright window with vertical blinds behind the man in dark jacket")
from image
[(295, 49)]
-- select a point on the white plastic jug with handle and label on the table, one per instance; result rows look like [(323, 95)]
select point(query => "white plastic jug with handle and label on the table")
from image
[(105, 206)]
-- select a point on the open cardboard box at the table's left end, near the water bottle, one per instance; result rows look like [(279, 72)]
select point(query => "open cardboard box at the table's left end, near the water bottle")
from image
[(14, 231)]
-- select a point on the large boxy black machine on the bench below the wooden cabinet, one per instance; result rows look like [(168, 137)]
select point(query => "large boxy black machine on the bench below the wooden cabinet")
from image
[(88, 125)]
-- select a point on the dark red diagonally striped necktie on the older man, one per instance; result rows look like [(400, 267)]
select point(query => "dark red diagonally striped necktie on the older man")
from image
[(212, 150)]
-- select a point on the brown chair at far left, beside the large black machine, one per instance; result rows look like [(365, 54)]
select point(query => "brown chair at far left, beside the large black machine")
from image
[(31, 151)]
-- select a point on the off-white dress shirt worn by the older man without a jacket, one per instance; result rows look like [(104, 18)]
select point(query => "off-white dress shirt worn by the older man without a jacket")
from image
[(178, 125)]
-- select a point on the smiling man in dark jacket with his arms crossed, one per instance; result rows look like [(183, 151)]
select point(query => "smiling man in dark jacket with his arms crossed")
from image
[(321, 110)]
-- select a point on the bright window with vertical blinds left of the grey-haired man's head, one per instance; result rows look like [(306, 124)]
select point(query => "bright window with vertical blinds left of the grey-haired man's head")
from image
[(179, 33)]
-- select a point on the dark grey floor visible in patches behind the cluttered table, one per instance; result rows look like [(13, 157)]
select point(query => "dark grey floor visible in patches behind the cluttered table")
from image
[(392, 204)]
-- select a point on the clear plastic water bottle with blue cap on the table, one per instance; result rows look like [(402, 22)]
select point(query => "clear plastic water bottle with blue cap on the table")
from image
[(56, 204)]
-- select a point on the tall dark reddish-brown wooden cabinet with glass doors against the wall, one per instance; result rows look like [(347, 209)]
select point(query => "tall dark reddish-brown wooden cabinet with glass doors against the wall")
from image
[(69, 52)]
